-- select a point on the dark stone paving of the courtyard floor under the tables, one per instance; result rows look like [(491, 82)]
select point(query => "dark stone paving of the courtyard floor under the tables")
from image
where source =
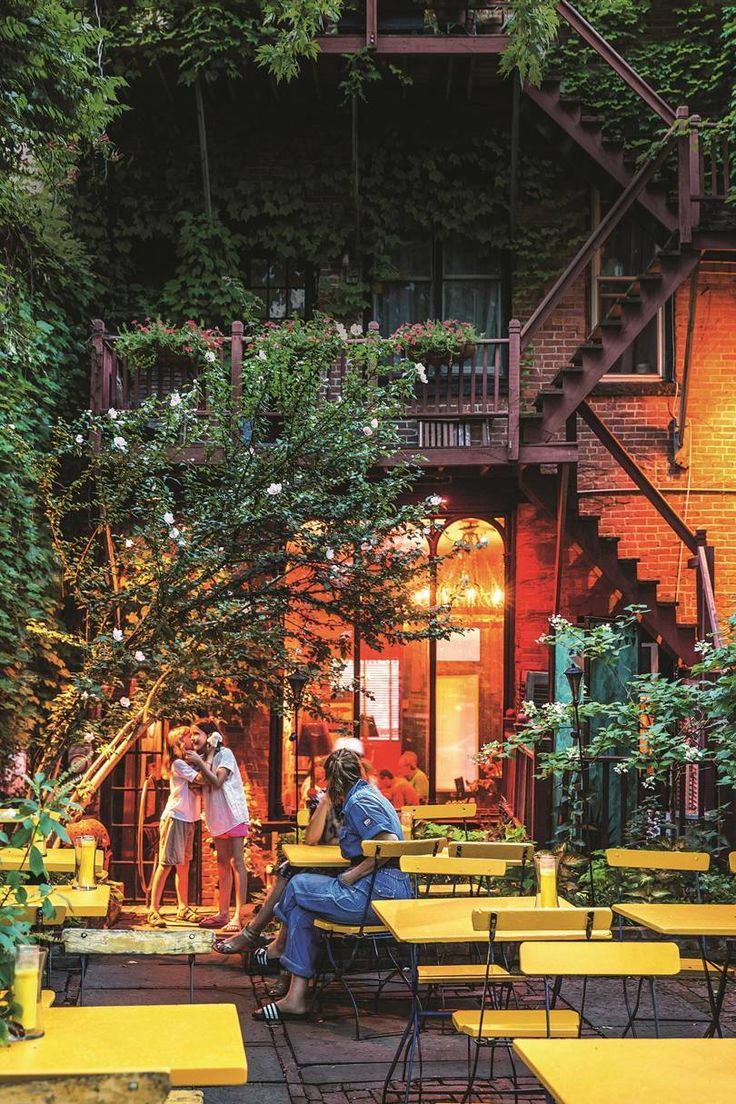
[(319, 1061)]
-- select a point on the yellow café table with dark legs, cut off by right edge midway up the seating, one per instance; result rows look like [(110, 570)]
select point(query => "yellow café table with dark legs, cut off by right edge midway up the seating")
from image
[(702, 921)]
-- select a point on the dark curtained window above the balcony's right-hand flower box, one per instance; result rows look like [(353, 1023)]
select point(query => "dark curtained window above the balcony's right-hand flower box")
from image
[(456, 279)]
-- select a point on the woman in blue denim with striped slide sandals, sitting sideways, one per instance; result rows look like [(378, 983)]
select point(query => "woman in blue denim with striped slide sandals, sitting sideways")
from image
[(366, 814)]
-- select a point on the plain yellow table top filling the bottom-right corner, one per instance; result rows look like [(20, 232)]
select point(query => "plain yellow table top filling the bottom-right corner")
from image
[(633, 1071)]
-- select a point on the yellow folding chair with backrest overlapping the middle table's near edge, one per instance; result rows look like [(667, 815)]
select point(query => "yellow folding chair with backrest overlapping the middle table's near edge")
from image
[(492, 1026)]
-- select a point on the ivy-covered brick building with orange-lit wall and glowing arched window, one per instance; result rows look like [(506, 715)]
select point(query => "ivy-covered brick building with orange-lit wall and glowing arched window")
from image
[(585, 457)]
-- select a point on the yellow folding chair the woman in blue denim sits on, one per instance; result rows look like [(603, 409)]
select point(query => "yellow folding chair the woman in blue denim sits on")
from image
[(357, 938)]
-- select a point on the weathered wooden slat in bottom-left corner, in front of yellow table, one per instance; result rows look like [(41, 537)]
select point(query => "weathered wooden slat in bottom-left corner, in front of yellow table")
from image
[(132, 1089)]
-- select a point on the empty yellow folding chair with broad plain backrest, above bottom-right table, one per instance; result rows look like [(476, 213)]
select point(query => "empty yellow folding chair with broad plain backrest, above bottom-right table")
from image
[(616, 960)]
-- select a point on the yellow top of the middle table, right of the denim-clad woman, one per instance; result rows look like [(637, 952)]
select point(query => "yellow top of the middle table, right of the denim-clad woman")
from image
[(450, 920)]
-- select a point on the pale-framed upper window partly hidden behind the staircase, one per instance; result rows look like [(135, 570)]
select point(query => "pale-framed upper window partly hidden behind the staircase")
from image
[(627, 254)]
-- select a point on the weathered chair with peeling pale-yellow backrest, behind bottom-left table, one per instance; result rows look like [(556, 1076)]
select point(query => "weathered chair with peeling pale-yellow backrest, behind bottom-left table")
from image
[(88, 941)]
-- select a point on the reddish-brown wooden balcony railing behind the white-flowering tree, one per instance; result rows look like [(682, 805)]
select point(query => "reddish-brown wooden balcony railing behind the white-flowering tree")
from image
[(468, 402)]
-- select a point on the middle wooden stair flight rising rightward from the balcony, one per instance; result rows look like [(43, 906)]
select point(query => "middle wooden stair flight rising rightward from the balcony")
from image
[(612, 337)]
